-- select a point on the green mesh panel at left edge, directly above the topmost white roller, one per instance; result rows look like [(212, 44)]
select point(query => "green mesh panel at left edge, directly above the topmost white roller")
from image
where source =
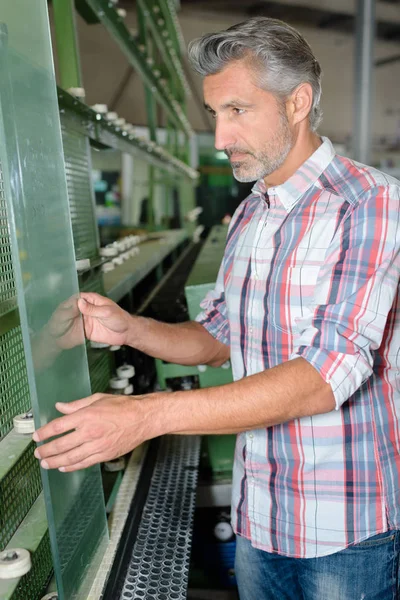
[(14, 389)]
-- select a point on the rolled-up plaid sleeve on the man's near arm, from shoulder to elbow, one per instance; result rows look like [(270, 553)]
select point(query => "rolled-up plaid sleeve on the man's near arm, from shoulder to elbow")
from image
[(354, 294)]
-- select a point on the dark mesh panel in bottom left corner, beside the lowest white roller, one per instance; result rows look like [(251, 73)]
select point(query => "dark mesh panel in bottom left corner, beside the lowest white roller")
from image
[(32, 586)]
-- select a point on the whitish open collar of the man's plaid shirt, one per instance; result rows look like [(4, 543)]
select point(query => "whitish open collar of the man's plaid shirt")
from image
[(296, 186)]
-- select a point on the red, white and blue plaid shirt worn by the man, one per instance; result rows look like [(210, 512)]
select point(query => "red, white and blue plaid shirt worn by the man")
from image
[(311, 270)]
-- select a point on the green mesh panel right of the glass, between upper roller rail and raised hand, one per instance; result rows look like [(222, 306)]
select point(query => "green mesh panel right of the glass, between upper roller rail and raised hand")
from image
[(77, 169)]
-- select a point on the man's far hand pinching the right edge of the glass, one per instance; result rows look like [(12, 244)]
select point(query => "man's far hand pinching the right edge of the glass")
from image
[(103, 319)]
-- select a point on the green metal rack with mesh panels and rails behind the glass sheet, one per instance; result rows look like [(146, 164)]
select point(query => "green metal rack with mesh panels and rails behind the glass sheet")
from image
[(23, 521)]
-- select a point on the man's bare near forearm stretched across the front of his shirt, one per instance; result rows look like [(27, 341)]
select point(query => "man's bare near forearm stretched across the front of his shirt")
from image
[(290, 391)]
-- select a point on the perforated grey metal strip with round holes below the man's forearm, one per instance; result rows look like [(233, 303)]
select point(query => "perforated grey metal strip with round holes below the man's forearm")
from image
[(159, 568)]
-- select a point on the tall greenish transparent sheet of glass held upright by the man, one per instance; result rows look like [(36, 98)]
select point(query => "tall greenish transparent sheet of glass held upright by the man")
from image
[(31, 156)]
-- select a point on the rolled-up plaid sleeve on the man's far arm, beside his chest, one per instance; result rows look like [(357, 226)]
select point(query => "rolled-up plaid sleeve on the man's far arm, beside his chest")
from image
[(214, 314)]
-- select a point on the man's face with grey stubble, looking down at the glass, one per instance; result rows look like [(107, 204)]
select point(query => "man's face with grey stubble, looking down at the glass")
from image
[(251, 124)]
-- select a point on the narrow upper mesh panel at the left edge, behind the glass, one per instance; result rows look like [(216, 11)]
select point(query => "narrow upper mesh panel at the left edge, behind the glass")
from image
[(7, 283)]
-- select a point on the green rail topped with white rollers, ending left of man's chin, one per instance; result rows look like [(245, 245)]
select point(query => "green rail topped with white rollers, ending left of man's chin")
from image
[(82, 118)]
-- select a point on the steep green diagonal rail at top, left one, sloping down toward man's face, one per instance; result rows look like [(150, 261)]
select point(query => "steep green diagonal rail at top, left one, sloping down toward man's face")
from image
[(113, 22)]
